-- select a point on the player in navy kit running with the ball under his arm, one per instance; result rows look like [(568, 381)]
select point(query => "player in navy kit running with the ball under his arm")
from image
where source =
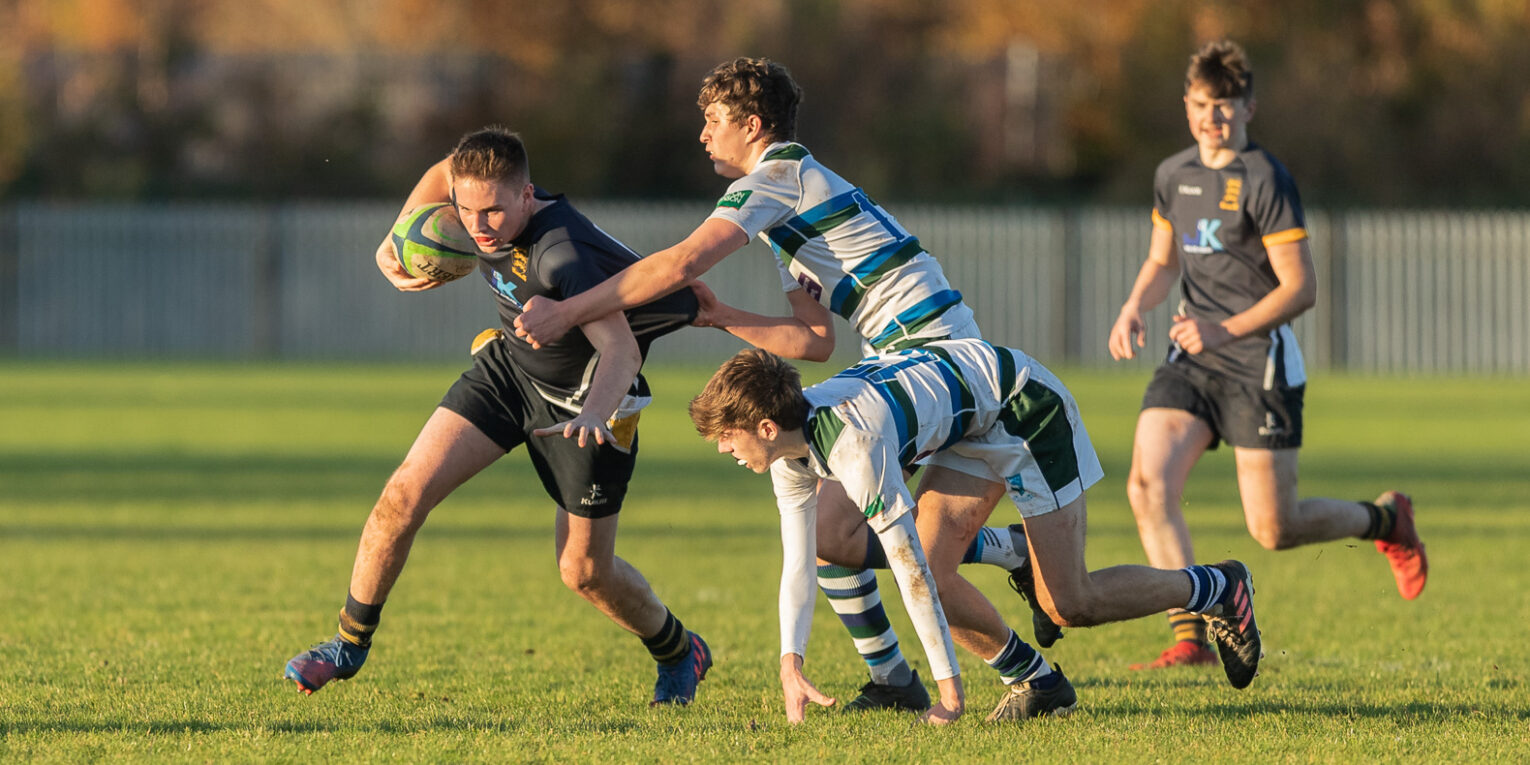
[(575, 406)]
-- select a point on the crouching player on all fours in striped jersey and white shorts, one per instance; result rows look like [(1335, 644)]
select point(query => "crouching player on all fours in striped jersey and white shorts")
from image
[(986, 412)]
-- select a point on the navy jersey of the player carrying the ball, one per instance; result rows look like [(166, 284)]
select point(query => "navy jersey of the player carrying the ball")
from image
[(561, 255)]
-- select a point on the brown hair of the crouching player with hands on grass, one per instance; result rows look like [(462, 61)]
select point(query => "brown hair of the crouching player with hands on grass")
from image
[(750, 388)]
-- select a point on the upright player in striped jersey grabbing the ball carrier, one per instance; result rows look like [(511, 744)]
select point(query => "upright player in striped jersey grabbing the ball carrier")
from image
[(838, 253)]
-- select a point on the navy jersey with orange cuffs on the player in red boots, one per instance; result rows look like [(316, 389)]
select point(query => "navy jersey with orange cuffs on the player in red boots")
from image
[(1223, 221)]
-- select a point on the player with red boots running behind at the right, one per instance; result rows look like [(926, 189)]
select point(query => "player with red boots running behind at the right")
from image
[(1228, 223)]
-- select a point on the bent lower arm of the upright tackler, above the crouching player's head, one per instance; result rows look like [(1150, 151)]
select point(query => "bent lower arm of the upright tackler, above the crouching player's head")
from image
[(807, 334)]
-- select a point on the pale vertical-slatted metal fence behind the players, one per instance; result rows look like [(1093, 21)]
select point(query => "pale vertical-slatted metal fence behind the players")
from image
[(1401, 291)]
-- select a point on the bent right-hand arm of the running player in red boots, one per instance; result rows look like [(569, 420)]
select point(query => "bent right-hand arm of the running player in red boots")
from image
[(1297, 293)]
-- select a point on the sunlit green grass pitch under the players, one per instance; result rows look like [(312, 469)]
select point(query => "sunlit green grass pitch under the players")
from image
[(172, 535)]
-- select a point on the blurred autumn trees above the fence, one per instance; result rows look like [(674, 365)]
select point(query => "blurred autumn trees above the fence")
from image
[(1370, 102)]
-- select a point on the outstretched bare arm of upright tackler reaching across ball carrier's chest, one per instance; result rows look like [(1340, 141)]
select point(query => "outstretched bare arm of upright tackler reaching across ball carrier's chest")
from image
[(547, 321)]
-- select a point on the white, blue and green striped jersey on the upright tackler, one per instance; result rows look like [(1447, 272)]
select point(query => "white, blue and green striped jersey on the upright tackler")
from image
[(847, 252)]
